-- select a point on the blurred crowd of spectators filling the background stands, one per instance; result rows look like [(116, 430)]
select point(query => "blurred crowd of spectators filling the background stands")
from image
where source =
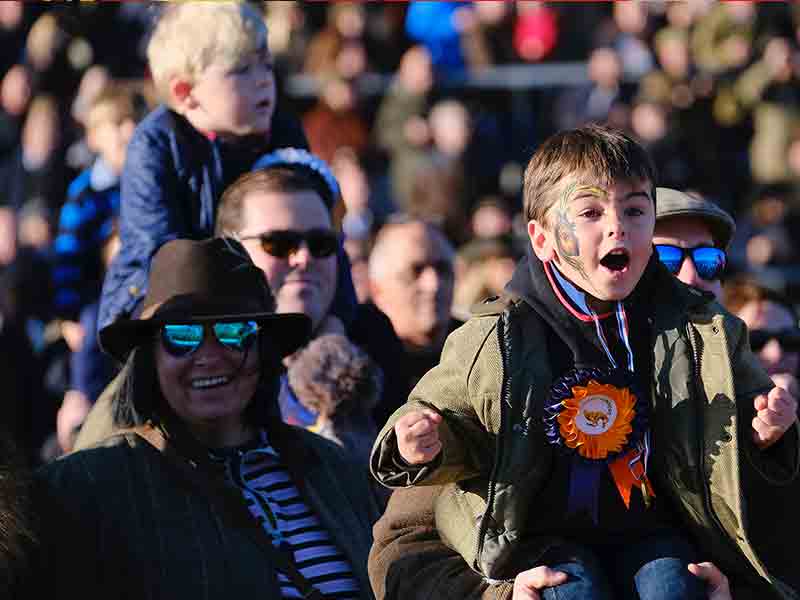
[(401, 109)]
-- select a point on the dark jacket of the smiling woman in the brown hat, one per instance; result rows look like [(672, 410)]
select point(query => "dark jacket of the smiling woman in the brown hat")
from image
[(137, 520)]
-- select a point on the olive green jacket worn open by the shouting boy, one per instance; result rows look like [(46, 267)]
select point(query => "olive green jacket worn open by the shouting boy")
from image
[(492, 381)]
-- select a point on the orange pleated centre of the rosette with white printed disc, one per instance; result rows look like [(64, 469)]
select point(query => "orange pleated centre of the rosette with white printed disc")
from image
[(596, 420)]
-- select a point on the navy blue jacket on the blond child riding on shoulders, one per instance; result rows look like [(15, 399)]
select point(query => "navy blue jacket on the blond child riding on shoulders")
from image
[(173, 178)]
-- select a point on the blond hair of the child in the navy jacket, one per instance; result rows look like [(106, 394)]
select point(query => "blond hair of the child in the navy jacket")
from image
[(189, 36)]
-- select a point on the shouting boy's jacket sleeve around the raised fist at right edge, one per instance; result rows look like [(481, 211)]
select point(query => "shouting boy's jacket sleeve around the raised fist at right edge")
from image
[(780, 463)]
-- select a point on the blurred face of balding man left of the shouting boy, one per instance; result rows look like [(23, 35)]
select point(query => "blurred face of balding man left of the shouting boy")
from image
[(415, 288)]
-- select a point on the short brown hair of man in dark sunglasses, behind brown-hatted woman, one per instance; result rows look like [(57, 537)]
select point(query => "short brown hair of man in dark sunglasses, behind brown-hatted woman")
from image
[(273, 179)]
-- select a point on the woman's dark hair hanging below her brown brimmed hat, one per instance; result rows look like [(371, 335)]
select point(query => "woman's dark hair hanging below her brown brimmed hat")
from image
[(139, 399)]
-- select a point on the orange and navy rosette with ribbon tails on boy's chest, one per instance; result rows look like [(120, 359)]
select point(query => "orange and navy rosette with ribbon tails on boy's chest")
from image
[(597, 416)]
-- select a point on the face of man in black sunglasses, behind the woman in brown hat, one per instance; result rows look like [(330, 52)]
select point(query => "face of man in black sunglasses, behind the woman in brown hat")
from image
[(300, 281)]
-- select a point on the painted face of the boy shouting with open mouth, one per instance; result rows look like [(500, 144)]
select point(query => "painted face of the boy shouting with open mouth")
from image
[(602, 238)]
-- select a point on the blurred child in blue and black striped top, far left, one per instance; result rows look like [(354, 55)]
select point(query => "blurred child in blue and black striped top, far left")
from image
[(86, 233)]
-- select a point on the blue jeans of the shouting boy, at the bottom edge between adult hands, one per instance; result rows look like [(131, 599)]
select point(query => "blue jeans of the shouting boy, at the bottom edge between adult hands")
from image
[(649, 569)]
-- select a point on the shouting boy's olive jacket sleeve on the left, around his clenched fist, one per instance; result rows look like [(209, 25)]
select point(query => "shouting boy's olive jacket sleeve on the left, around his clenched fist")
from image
[(465, 389)]
